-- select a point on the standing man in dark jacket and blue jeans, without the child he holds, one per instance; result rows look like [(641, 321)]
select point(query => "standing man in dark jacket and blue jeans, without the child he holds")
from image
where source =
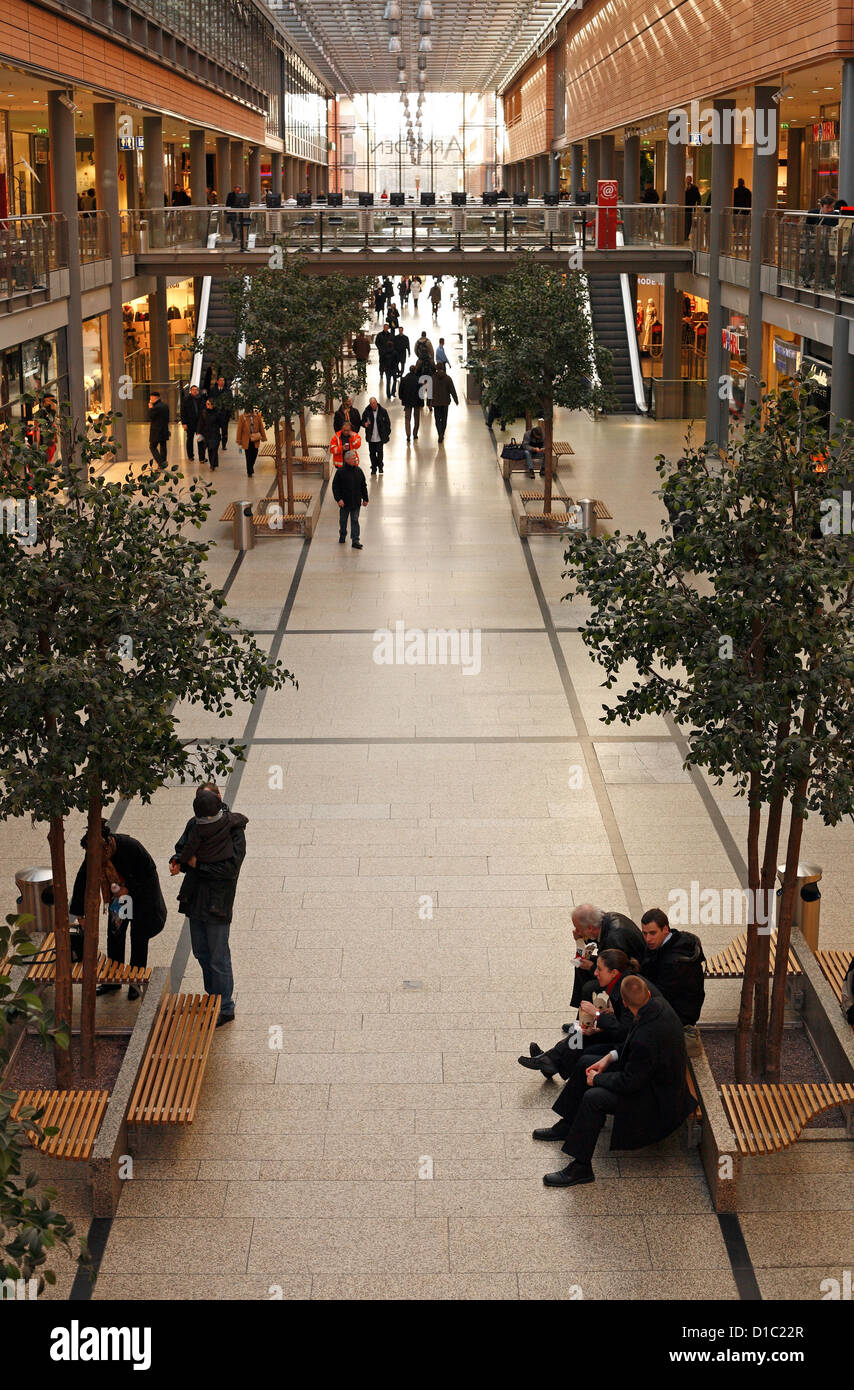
[(207, 897)]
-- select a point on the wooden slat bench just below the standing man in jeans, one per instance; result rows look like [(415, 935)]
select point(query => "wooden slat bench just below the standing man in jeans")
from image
[(170, 1079)]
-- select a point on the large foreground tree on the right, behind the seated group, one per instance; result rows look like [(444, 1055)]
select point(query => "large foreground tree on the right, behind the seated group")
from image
[(741, 623)]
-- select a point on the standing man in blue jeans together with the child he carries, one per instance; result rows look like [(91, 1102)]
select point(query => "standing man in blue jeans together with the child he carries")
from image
[(211, 882)]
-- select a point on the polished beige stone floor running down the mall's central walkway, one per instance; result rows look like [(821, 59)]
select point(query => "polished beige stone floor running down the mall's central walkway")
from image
[(418, 836)]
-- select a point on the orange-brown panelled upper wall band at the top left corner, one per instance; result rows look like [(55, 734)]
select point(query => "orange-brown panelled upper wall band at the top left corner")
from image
[(38, 38)]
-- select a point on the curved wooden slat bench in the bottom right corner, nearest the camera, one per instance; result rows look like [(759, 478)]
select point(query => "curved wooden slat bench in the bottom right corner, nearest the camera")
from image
[(767, 1120)]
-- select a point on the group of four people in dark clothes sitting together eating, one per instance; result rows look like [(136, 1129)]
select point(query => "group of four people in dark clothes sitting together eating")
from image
[(638, 993)]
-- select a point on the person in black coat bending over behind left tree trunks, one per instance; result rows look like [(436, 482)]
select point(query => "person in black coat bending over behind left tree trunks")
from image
[(147, 907)]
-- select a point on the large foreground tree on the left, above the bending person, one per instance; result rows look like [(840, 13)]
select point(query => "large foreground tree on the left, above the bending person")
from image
[(106, 622)]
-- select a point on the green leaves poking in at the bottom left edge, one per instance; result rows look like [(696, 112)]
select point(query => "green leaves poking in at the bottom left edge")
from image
[(31, 1227)]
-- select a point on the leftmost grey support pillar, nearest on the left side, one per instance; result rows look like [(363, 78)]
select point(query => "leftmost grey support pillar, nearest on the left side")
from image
[(63, 199)]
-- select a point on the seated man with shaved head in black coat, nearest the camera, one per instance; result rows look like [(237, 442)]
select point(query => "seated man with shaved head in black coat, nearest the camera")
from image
[(643, 1084)]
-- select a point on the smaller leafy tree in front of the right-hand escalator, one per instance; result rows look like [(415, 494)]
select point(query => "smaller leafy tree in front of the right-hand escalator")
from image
[(545, 352)]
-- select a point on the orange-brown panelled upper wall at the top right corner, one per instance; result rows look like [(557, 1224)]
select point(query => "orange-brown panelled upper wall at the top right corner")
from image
[(631, 59)]
